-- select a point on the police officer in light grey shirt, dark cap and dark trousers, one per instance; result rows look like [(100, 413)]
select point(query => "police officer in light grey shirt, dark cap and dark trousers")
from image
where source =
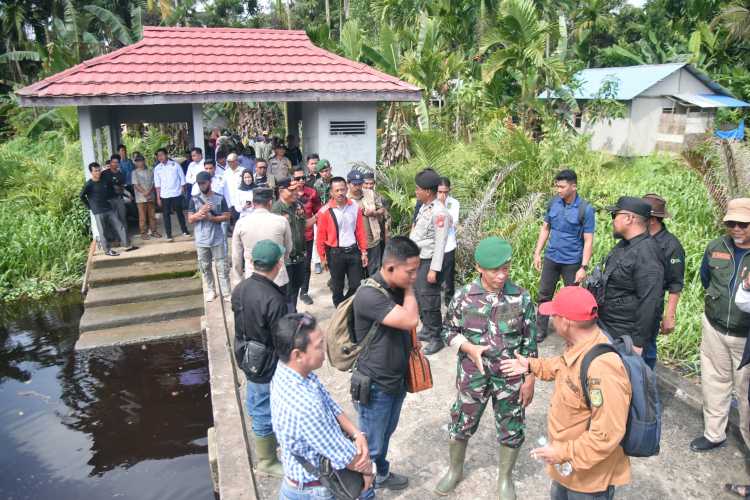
[(430, 233)]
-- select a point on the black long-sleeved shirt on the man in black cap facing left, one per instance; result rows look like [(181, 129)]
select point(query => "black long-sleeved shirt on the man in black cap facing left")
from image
[(633, 289)]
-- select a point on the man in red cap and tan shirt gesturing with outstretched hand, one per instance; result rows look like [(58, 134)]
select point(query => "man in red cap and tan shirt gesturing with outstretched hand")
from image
[(583, 453)]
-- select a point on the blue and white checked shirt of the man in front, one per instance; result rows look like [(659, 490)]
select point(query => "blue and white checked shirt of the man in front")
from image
[(304, 420)]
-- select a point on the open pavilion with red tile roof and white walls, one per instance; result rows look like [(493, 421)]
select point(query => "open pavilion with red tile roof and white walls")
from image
[(172, 72)]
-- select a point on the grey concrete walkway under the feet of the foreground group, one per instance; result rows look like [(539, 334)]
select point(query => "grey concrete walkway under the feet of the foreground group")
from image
[(419, 446)]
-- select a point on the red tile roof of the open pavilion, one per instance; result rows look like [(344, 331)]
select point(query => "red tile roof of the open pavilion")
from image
[(217, 64)]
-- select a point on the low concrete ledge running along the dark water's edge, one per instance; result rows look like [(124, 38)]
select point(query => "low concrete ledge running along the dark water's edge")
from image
[(229, 450)]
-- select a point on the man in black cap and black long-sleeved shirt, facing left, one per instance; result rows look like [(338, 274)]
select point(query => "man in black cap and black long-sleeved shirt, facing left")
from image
[(633, 275)]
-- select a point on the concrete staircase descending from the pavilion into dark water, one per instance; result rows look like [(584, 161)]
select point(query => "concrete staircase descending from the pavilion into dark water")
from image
[(148, 294)]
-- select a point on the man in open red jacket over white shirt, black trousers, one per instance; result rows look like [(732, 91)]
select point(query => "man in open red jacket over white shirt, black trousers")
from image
[(341, 241)]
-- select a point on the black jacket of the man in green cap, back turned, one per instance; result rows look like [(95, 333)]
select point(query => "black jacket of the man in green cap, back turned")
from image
[(258, 305)]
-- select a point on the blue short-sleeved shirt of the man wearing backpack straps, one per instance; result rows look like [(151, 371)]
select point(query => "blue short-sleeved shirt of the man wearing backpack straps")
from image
[(566, 238)]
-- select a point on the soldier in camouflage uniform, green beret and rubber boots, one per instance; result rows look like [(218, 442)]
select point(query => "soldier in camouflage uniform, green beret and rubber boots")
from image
[(488, 320)]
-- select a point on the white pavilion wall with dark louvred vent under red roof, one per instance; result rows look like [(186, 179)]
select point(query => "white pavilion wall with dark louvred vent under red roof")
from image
[(341, 150)]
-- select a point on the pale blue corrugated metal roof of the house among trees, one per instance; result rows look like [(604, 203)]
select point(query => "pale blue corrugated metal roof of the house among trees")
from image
[(633, 80)]
